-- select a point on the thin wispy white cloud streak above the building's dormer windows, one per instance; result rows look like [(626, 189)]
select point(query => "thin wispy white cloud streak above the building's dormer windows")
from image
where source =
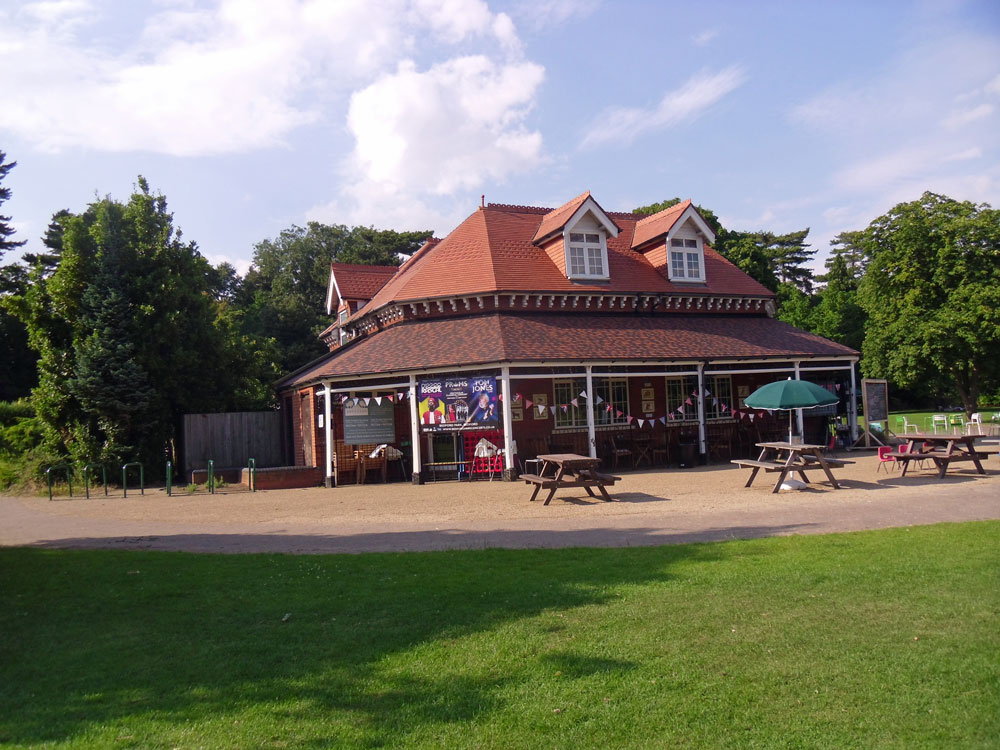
[(621, 125)]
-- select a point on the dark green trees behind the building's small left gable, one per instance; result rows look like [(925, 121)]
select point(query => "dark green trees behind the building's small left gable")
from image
[(282, 295)]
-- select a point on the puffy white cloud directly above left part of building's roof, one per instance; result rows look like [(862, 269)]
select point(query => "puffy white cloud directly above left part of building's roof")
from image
[(438, 132)]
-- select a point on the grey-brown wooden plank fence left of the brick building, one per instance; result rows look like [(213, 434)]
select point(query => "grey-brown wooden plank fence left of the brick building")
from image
[(231, 438)]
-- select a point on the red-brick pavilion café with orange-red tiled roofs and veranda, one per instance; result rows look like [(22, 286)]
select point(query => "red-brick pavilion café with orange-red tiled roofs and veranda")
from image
[(614, 334)]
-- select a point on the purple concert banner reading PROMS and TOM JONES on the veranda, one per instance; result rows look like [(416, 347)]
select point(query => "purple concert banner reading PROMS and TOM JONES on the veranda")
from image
[(458, 403)]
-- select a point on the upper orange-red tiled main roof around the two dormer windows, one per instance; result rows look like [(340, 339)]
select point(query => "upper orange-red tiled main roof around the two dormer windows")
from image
[(493, 251)]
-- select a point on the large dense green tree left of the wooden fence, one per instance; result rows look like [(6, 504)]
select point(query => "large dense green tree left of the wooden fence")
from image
[(130, 334)]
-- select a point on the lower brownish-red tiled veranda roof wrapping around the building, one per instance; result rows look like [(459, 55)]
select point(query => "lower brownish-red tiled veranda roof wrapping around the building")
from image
[(507, 337)]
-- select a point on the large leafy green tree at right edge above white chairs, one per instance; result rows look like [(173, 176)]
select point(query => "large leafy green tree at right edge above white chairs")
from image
[(932, 294)]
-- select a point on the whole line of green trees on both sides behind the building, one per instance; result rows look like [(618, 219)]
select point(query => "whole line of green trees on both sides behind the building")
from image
[(117, 325)]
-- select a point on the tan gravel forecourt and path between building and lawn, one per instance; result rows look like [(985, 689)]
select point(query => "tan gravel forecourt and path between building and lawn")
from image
[(650, 507)]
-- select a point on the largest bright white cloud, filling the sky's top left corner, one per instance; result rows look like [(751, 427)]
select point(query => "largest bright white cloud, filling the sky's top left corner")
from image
[(230, 77)]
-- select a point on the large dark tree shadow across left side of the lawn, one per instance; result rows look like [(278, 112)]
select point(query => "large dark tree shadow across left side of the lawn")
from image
[(156, 642)]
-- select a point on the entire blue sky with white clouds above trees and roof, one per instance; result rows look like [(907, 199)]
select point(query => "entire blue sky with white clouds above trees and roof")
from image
[(251, 116)]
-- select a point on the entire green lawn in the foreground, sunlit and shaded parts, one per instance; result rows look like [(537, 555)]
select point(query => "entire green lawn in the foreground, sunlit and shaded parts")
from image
[(874, 639)]
